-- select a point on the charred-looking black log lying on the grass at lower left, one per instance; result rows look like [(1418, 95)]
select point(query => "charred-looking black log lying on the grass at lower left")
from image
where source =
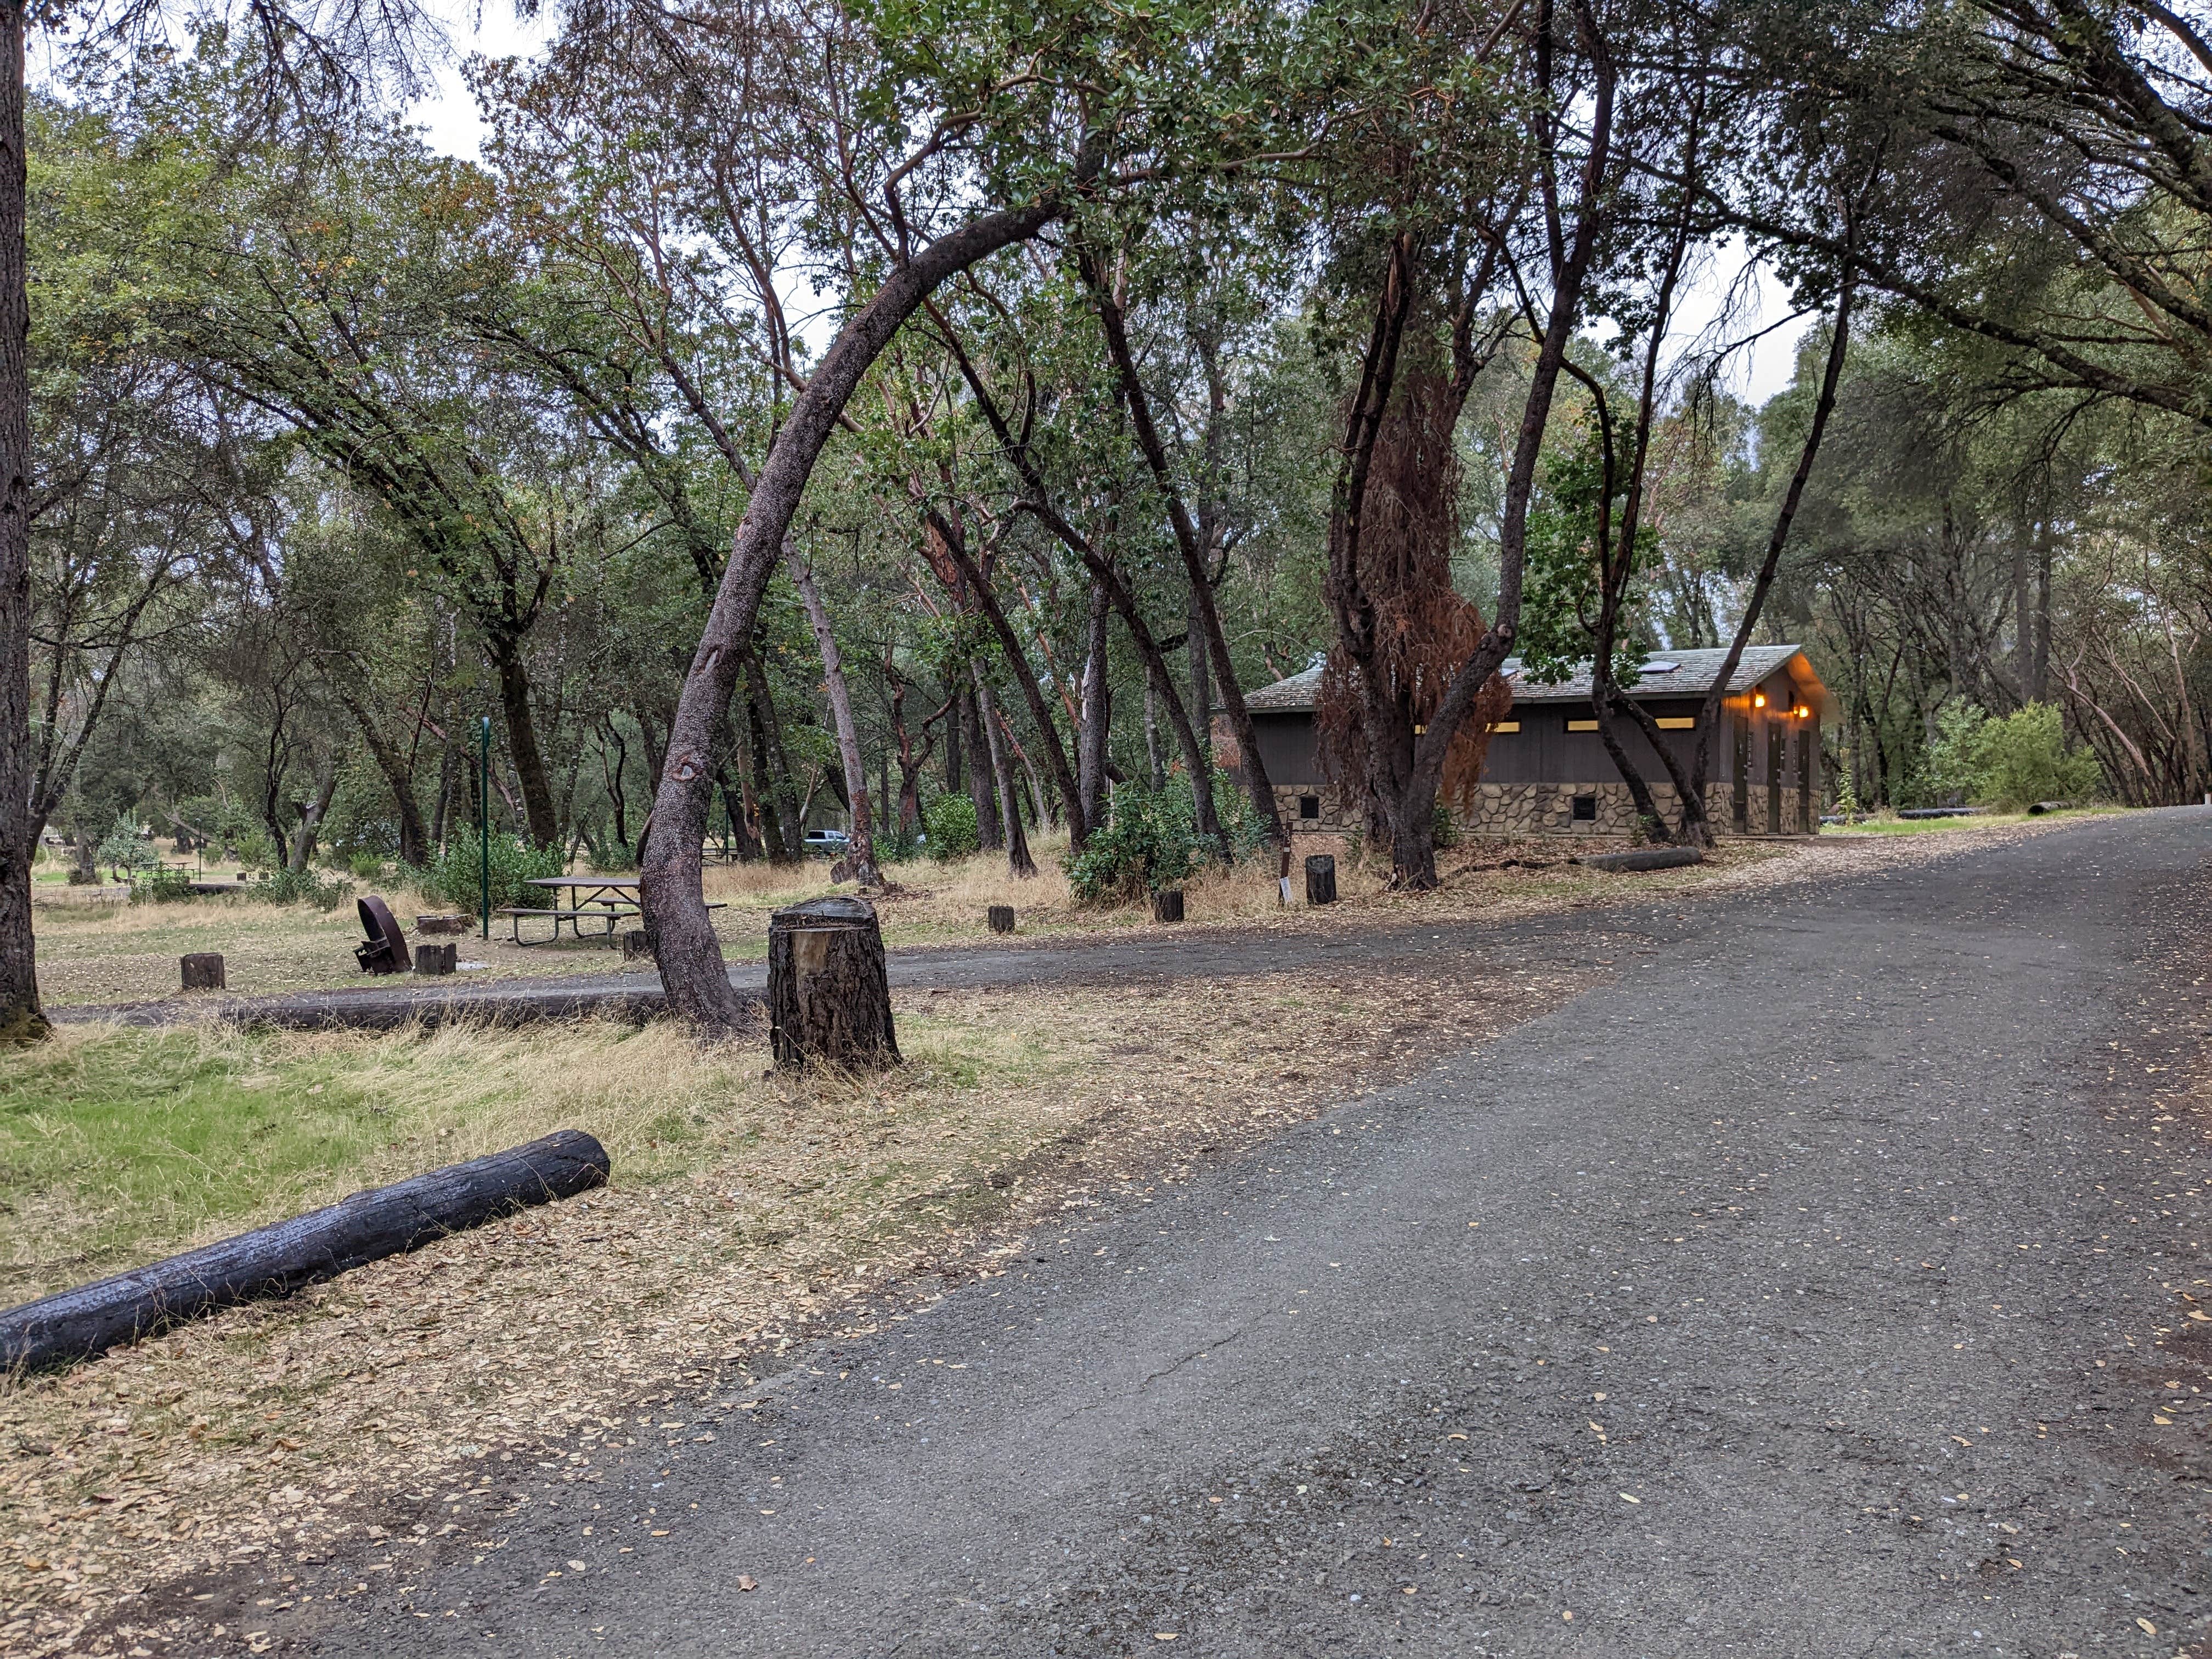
[(275, 1262)]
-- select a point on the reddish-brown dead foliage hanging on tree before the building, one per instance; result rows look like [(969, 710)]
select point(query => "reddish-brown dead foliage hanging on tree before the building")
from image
[(1410, 629)]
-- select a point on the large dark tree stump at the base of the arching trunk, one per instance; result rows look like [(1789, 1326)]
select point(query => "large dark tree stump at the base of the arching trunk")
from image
[(828, 992)]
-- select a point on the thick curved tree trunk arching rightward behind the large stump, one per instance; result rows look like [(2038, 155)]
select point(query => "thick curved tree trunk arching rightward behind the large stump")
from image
[(671, 881)]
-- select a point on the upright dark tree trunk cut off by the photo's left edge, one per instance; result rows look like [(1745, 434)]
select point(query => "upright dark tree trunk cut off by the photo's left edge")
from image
[(21, 1014)]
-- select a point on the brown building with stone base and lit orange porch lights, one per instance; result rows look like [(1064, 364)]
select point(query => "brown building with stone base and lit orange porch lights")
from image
[(1547, 771)]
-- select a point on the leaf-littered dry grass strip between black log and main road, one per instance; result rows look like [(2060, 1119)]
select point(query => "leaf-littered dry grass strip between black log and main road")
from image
[(749, 1213)]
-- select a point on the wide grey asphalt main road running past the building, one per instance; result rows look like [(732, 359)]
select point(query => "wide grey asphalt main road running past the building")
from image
[(1797, 1293)]
